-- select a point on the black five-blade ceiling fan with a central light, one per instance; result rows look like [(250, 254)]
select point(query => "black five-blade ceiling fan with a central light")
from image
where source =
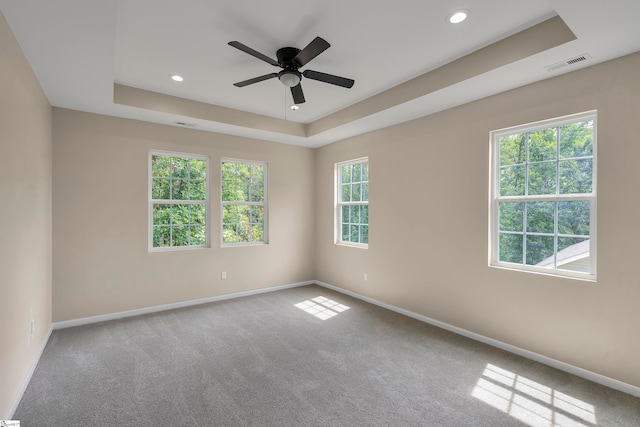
[(291, 59)]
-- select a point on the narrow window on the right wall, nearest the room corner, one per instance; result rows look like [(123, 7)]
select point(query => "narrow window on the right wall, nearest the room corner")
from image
[(352, 191)]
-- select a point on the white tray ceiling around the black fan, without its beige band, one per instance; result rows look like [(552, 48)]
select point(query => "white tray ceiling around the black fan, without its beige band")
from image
[(78, 49)]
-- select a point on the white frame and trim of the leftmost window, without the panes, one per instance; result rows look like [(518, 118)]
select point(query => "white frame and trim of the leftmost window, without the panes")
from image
[(207, 202)]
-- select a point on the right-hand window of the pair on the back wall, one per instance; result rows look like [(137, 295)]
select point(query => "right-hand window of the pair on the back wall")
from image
[(244, 194)]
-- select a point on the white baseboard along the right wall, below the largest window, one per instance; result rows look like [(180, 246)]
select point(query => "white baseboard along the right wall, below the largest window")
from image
[(580, 372)]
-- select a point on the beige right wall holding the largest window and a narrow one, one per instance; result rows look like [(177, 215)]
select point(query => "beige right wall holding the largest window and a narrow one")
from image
[(429, 224)]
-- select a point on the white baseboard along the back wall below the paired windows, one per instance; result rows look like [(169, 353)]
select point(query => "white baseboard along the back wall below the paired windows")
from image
[(157, 308)]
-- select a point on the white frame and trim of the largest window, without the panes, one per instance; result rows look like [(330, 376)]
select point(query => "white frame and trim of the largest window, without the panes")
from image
[(494, 199)]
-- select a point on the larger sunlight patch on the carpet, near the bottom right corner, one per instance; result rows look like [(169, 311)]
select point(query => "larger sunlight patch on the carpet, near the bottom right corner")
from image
[(533, 403)]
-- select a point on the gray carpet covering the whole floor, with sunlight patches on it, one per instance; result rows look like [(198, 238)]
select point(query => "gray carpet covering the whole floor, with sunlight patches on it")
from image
[(263, 361)]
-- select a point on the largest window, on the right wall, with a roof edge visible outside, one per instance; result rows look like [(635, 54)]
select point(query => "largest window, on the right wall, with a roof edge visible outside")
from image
[(543, 195)]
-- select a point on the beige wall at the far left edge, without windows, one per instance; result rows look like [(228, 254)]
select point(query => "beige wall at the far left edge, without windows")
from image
[(25, 218)]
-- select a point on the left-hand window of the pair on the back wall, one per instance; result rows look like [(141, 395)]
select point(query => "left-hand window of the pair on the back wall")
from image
[(179, 200)]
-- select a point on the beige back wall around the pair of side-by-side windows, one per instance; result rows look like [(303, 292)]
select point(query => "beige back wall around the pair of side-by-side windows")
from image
[(100, 209)]
